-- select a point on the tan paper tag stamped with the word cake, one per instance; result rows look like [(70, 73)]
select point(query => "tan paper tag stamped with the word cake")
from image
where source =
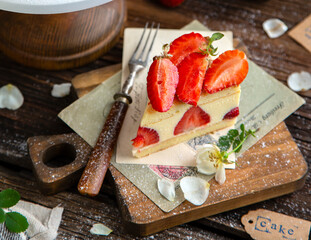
[(264, 224)]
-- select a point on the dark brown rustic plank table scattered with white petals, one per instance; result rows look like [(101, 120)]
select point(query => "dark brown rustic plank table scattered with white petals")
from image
[(38, 115)]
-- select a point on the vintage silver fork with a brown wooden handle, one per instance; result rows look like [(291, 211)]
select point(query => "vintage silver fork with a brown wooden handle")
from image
[(99, 161)]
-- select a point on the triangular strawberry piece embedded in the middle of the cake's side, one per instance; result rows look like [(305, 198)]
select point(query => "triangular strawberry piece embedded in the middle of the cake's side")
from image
[(193, 118)]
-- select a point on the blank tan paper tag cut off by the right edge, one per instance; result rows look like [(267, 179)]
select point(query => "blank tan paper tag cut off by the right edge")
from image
[(302, 33)]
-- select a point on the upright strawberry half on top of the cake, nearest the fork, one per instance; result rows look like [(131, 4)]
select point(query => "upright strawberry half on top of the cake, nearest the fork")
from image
[(162, 81)]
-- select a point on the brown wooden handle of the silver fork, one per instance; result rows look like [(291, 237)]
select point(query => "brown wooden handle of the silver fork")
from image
[(97, 166)]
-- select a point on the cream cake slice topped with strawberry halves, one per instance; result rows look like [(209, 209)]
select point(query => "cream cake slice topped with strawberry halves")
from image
[(189, 94)]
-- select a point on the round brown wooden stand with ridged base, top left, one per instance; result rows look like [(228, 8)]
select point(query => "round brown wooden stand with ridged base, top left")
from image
[(61, 41)]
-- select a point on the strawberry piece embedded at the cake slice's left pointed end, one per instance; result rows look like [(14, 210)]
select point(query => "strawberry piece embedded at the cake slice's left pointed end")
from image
[(145, 136)]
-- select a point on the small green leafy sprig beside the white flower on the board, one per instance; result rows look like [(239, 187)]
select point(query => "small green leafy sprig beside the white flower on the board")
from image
[(234, 138)]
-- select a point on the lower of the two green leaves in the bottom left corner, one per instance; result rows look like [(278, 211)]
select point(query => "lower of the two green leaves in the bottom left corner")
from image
[(16, 222)]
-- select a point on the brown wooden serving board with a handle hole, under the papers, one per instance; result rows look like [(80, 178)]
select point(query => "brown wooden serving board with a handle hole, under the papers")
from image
[(271, 168)]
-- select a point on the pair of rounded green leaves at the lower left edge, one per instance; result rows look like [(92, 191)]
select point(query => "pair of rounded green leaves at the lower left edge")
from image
[(14, 221)]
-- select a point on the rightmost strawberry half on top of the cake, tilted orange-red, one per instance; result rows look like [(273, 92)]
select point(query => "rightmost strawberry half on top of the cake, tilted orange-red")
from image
[(229, 69)]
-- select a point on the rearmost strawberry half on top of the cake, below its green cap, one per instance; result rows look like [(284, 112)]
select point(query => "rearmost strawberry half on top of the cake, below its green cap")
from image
[(186, 44)]
